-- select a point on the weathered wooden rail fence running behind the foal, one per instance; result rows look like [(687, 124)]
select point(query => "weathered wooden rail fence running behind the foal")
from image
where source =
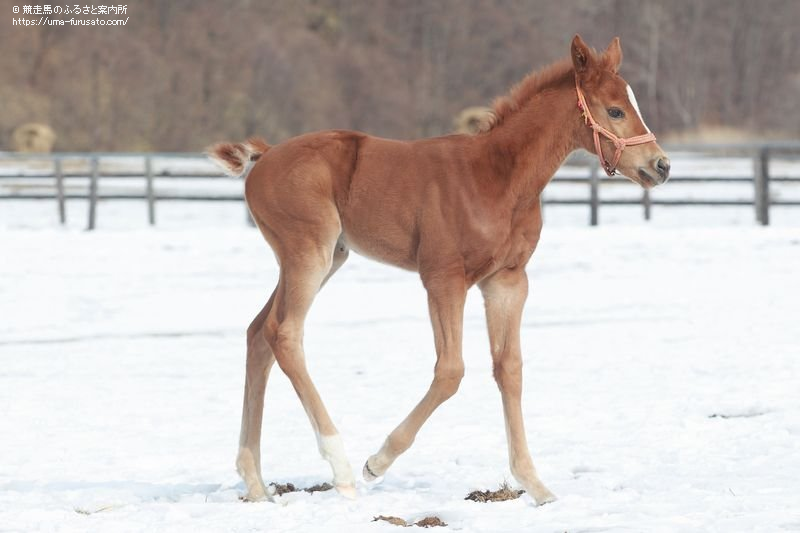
[(22, 179)]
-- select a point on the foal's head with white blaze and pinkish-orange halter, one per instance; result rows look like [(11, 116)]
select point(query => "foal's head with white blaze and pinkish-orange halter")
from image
[(615, 131)]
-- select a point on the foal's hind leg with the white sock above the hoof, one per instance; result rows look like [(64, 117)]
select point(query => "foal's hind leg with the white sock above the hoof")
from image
[(302, 274)]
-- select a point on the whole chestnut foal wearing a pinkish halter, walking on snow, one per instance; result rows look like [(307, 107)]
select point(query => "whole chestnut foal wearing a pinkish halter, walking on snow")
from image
[(461, 210)]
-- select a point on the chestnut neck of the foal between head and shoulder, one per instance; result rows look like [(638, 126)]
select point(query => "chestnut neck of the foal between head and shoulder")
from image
[(537, 138)]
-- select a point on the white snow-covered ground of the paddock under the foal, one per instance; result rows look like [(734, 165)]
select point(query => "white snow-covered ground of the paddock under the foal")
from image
[(662, 363)]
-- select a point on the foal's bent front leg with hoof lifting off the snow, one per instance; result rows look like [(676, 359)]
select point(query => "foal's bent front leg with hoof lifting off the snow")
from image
[(446, 304)]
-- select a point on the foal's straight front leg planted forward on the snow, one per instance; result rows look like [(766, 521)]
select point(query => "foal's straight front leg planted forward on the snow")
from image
[(504, 295)]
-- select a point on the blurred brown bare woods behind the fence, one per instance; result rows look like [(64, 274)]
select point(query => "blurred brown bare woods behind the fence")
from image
[(182, 73)]
